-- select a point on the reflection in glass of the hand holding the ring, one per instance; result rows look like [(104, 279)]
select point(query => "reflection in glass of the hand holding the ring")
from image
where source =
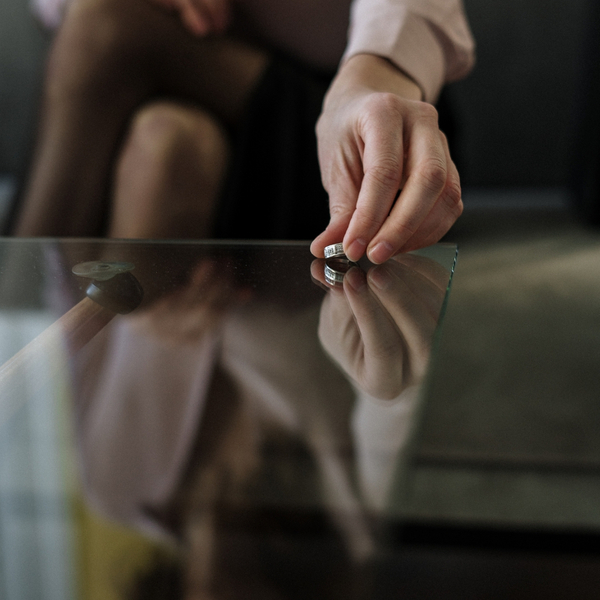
[(379, 326)]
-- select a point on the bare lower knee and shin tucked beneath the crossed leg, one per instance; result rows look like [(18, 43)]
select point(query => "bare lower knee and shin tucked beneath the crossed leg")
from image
[(169, 174)]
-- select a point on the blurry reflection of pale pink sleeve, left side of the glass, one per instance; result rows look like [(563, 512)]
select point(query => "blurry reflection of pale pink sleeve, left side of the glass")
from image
[(140, 420)]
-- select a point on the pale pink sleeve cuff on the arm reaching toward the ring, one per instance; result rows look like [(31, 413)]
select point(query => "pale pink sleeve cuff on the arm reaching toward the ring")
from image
[(429, 40)]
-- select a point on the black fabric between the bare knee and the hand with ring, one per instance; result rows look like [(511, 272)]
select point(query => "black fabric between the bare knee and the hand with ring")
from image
[(273, 189)]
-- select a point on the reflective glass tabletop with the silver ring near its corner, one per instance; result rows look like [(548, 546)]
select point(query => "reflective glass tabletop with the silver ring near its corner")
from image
[(206, 420)]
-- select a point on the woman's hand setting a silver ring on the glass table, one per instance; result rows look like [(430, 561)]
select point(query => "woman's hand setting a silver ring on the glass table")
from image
[(375, 138)]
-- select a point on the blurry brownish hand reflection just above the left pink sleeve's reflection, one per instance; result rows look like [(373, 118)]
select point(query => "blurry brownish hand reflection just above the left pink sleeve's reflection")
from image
[(195, 308)]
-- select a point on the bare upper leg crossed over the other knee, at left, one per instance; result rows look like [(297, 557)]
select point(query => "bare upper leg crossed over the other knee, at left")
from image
[(109, 58)]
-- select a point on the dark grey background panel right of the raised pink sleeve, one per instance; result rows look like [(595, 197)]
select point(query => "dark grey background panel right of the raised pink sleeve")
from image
[(517, 111)]
